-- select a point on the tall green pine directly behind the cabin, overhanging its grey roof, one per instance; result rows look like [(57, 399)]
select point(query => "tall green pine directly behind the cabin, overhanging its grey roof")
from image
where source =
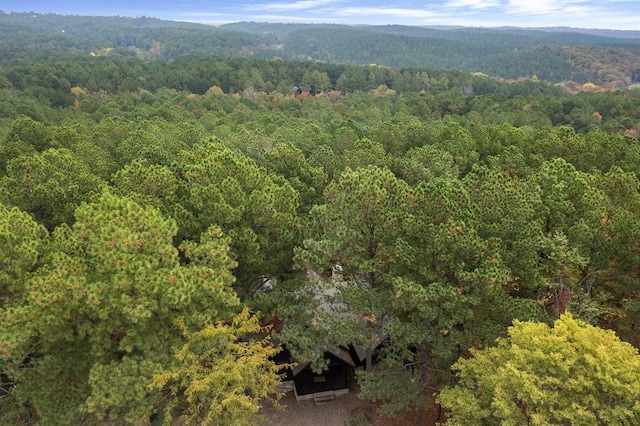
[(355, 230)]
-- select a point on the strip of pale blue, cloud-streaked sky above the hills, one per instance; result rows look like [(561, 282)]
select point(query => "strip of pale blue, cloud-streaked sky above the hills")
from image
[(616, 14)]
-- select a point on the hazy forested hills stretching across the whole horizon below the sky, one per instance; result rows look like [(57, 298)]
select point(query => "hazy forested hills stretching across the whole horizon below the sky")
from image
[(603, 57)]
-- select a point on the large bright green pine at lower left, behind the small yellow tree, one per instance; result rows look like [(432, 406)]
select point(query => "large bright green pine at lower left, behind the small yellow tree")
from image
[(97, 321)]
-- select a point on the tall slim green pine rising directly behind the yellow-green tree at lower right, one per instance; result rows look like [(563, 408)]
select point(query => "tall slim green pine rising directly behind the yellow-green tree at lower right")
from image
[(573, 259)]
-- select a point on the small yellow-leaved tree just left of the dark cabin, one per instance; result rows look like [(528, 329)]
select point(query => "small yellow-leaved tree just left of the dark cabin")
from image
[(219, 378)]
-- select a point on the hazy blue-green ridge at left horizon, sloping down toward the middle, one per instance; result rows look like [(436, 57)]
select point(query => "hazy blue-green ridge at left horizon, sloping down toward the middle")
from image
[(142, 36)]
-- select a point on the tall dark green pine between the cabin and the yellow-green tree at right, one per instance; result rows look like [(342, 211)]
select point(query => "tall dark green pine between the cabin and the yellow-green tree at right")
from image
[(446, 274)]
